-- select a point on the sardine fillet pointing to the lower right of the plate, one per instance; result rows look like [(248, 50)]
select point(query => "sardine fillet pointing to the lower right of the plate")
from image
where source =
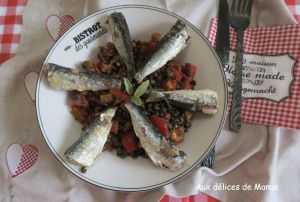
[(161, 151)]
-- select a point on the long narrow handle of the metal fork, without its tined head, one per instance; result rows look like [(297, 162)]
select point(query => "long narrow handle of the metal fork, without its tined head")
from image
[(236, 104)]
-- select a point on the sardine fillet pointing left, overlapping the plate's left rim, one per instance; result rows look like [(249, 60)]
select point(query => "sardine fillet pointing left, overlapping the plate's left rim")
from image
[(68, 79)]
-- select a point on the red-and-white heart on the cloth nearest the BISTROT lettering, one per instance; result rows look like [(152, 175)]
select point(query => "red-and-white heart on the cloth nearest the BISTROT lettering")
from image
[(57, 26)]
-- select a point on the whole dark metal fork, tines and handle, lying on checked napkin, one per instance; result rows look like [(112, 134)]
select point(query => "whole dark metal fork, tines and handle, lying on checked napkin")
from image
[(240, 12)]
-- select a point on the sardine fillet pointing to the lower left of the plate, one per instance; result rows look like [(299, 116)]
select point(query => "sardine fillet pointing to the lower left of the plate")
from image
[(90, 144)]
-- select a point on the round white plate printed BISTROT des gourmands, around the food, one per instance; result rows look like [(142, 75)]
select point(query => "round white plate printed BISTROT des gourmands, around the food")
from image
[(60, 129)]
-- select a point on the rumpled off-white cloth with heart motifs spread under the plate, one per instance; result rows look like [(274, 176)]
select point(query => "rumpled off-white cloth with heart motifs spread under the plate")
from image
[(257, 154)]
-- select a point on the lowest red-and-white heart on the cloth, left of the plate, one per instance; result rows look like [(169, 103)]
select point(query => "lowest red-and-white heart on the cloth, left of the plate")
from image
[(19, 158)]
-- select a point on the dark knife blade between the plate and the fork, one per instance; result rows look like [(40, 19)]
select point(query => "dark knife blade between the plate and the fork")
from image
[(223, 38)]
